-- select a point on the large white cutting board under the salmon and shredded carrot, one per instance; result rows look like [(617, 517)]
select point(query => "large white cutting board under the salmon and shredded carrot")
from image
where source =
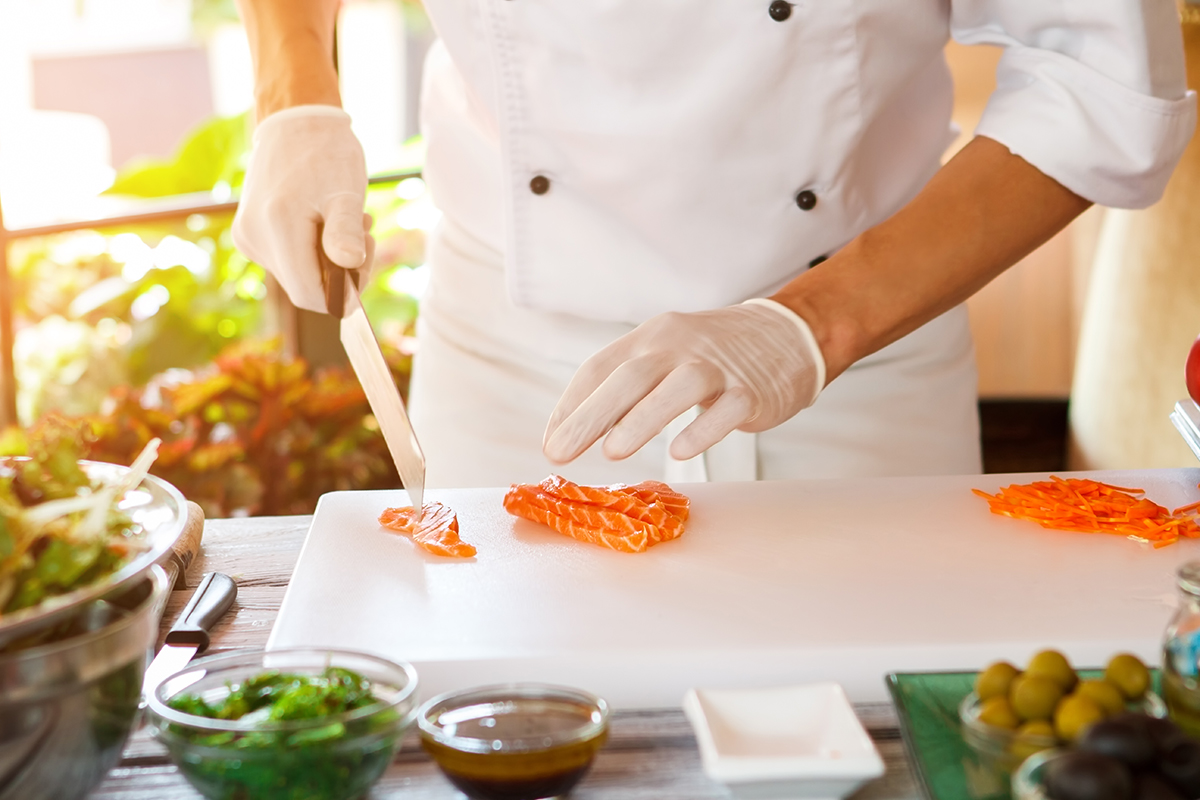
[(773, 584)]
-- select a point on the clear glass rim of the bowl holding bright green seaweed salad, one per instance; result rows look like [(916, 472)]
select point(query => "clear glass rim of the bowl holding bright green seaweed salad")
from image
[(244, 658)]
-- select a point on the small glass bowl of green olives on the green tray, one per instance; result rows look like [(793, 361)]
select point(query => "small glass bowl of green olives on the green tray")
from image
[(1013, 714)]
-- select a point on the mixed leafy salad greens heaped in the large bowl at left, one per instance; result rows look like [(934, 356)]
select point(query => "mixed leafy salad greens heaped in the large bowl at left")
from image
[(58, 530)]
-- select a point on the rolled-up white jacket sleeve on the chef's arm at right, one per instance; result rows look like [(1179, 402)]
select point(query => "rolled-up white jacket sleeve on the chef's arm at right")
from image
[(1093, 93)]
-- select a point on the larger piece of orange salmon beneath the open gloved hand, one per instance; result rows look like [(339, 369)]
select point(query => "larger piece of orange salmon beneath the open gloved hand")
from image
[(626, 519)]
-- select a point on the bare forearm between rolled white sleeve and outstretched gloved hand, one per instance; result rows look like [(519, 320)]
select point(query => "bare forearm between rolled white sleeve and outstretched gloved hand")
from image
[(981, 214)]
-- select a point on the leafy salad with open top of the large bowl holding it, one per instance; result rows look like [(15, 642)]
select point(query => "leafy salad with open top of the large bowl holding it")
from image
[(73, 531)]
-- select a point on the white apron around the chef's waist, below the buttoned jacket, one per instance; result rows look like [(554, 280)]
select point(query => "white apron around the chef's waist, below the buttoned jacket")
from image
[(488, 375)]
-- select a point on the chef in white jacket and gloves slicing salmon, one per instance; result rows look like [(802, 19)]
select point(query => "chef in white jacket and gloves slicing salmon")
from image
[(713, 239)]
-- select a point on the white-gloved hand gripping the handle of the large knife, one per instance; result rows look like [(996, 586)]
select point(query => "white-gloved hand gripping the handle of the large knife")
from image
[(307, 167)]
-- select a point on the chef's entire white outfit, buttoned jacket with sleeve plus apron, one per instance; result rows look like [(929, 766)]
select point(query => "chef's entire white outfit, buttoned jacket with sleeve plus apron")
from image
[(602, 163)]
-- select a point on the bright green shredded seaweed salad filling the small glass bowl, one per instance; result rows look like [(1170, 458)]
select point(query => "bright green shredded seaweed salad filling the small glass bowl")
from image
[(287, 760)]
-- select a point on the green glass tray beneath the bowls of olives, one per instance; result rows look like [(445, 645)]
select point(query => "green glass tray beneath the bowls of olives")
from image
[(945, 766)]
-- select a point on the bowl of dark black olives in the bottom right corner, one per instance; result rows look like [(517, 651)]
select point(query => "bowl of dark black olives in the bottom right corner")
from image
[(1131, 756)]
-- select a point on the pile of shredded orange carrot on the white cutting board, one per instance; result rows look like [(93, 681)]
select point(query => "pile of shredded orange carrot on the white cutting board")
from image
[(1095, 508)]
